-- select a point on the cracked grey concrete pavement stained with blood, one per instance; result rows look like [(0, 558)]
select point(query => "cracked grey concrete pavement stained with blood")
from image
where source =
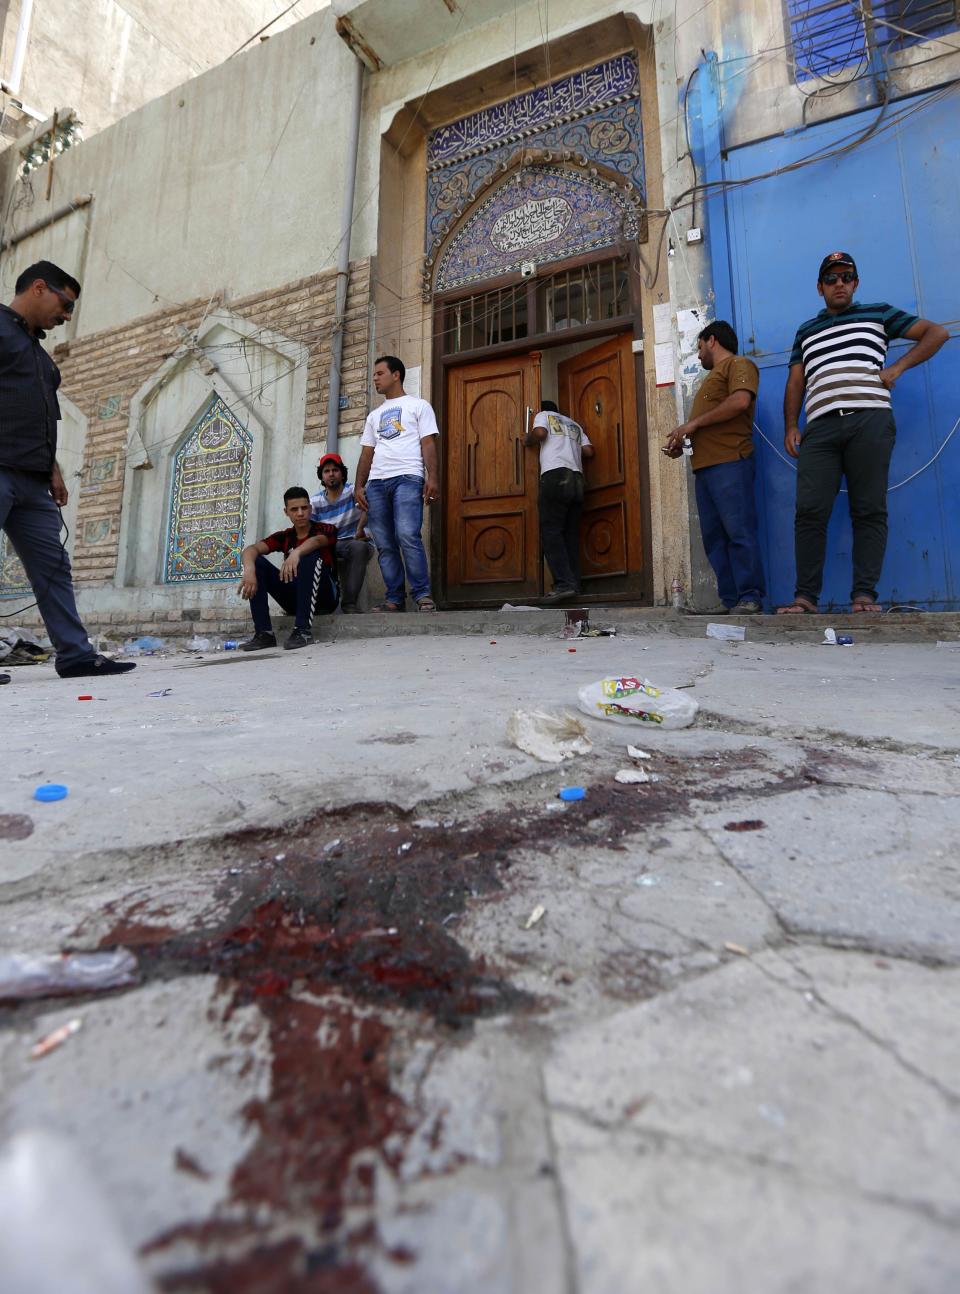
[(721, 1058)]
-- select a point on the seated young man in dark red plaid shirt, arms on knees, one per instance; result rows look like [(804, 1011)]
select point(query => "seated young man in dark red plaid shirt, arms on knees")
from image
[(305, 586)]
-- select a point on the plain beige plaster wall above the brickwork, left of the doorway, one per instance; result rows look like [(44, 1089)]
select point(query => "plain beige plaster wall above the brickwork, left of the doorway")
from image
[(228, 186)]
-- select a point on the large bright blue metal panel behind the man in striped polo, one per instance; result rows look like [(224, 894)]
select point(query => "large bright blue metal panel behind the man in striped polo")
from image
[(893, 203)]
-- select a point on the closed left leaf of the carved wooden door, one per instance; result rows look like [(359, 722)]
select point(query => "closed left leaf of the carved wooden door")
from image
[(492, 523)]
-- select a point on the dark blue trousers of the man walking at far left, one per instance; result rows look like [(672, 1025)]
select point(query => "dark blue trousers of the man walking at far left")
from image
[(32, 522)]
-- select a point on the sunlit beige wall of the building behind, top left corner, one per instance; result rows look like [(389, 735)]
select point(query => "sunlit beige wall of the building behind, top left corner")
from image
[(109, 58)]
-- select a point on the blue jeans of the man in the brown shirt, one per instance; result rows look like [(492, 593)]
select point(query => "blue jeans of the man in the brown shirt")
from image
[(728, 512)]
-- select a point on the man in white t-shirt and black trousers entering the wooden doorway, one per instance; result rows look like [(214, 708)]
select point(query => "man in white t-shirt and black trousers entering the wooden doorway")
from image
[(563, 446)]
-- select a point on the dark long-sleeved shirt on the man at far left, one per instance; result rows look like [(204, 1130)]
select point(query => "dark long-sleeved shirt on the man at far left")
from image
[(29, 410)]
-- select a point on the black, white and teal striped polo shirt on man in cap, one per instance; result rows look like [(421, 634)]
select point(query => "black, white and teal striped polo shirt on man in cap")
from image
[(843, 356)]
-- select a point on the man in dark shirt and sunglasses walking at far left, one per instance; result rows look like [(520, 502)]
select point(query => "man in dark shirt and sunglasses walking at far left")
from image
[(32, 485)]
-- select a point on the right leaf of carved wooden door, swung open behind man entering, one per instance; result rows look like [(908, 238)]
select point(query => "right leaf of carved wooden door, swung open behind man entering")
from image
[(598, 390)]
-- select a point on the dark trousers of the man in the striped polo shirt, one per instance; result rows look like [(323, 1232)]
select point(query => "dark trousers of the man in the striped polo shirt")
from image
[(857, 446)]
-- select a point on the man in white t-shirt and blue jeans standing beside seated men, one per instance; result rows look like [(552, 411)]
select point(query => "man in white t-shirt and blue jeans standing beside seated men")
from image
[(397, 476)]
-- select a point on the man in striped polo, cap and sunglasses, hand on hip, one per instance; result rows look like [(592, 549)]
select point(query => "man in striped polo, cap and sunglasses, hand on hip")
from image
[(840, 360)]
